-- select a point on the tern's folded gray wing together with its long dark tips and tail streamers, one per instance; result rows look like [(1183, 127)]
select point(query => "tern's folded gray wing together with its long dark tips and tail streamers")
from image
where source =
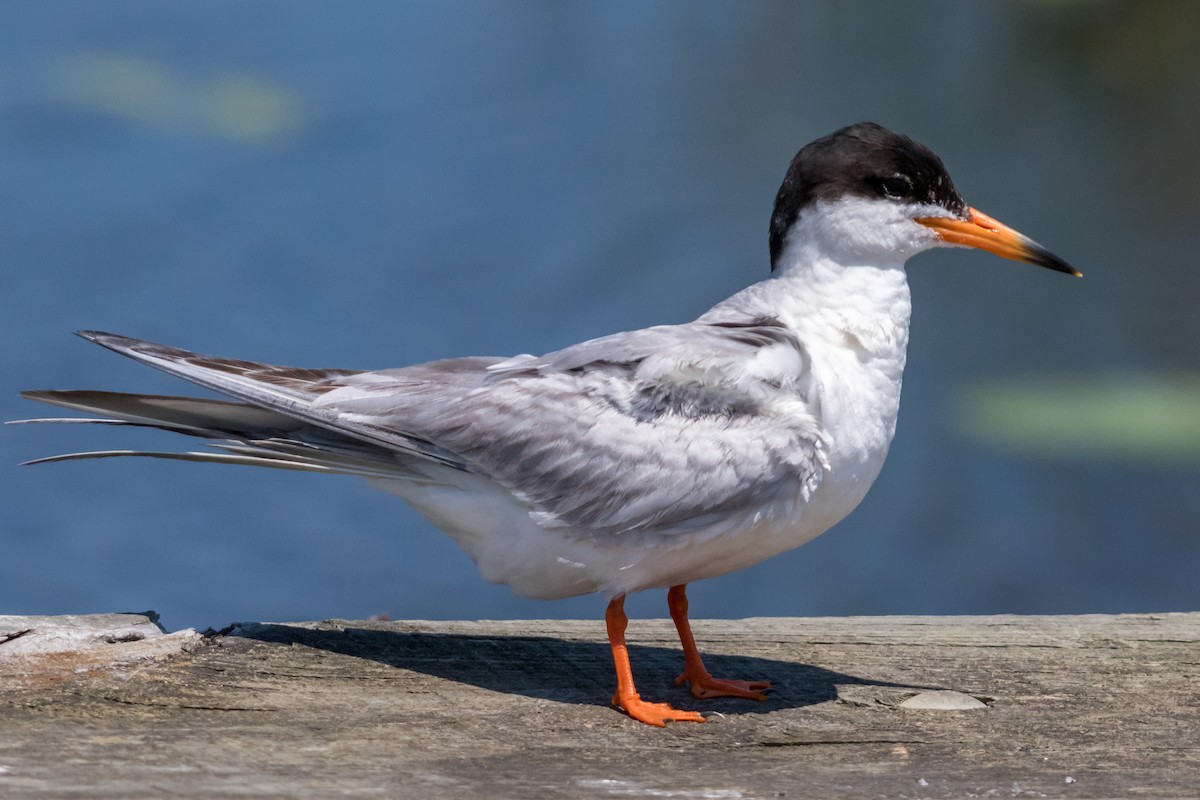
[(662, 428)]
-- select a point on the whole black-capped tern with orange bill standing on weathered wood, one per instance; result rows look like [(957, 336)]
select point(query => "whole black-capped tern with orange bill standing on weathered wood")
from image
[(643, 460)]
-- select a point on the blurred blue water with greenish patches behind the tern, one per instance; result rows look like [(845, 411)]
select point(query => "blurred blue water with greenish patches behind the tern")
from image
[(376, 184)]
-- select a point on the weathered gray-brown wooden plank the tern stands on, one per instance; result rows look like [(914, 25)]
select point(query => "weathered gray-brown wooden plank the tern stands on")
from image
[(1076, 707)]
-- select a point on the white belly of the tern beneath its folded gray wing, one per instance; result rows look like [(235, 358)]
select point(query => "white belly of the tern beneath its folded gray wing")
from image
[(512, 549)]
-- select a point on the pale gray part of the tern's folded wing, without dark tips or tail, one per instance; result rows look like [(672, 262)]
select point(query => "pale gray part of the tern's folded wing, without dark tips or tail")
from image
[(661, 428)]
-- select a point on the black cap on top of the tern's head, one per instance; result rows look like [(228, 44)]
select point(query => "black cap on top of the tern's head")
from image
[(863, 160)]
